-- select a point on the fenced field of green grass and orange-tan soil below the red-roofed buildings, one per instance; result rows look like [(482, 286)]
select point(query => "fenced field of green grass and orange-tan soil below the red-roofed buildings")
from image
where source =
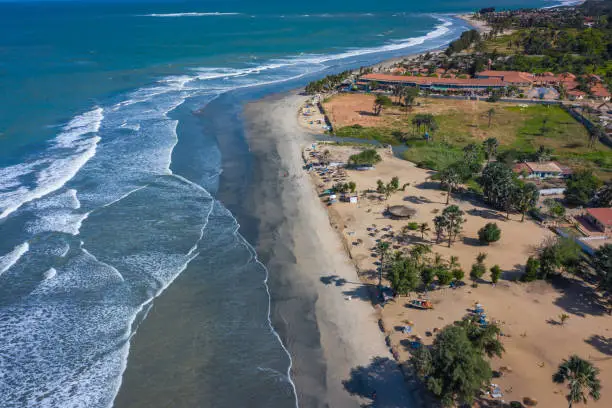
[(521, 128)]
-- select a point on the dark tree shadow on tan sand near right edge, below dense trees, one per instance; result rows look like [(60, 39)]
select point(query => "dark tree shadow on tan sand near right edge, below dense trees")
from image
[(578, 297)]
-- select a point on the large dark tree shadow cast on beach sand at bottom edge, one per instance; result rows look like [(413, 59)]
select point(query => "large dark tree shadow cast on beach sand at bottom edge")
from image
[(381, 382)]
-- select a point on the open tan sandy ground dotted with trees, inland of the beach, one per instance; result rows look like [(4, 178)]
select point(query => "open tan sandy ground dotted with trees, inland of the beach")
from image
[(535, 343)]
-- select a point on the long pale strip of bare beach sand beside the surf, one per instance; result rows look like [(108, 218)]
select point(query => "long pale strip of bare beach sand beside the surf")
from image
[(335, 343)]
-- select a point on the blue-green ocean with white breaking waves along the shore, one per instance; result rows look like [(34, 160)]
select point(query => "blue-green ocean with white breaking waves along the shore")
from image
[(122, 167)]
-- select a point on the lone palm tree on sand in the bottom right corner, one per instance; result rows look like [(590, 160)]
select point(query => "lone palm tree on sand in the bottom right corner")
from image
[(581, 377)]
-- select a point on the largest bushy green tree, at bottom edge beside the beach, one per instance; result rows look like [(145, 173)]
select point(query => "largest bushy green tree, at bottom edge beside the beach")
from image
[(453, 369)]
